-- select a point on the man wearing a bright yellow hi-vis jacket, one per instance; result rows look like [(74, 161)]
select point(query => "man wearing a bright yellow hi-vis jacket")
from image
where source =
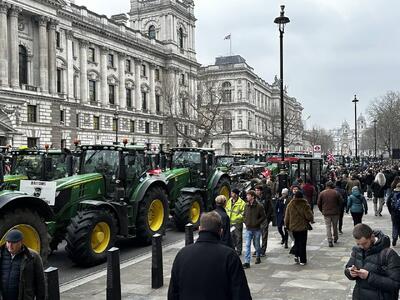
[(235, 211)]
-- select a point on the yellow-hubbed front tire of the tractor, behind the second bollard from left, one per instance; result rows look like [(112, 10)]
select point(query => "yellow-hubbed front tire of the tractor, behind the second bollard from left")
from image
[(89, 236)]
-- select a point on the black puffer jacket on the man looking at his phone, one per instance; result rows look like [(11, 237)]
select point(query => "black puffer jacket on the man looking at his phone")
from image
[(383, 281)]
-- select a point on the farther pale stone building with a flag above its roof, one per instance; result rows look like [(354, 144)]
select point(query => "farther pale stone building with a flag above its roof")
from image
[(251, 109)]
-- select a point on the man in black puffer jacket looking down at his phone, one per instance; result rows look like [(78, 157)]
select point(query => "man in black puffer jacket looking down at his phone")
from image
[(374, 266)]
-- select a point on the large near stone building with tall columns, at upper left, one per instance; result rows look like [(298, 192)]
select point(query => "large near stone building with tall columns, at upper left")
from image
[(68, 73)]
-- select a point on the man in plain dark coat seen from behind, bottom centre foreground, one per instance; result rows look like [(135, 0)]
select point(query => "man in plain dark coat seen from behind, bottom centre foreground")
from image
[(208, 269)]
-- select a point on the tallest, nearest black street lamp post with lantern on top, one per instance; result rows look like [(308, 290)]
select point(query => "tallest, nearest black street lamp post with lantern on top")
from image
[(282, 21)]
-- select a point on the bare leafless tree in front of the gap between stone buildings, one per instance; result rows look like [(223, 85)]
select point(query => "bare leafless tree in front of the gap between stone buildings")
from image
[(194, 117)]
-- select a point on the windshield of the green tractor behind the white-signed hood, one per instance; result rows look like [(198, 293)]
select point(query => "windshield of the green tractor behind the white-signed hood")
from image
[(100, 161)]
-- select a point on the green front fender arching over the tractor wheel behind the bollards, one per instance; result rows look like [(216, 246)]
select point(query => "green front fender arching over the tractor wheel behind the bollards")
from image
[(119, 210)]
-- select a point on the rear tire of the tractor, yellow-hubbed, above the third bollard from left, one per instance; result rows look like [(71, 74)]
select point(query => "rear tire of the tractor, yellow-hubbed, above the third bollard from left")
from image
[(152, 215)]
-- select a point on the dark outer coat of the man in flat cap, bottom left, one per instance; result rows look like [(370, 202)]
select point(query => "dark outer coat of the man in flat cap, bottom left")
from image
[(32, 282)]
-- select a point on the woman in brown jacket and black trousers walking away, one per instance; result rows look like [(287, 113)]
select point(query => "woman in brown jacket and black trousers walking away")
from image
[(298, 217)]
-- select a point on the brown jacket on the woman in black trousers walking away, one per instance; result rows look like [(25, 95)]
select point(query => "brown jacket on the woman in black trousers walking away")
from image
[(298, 214)]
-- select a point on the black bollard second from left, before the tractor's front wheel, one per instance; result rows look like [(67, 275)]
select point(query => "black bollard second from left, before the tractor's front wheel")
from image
[(113, 275)]
